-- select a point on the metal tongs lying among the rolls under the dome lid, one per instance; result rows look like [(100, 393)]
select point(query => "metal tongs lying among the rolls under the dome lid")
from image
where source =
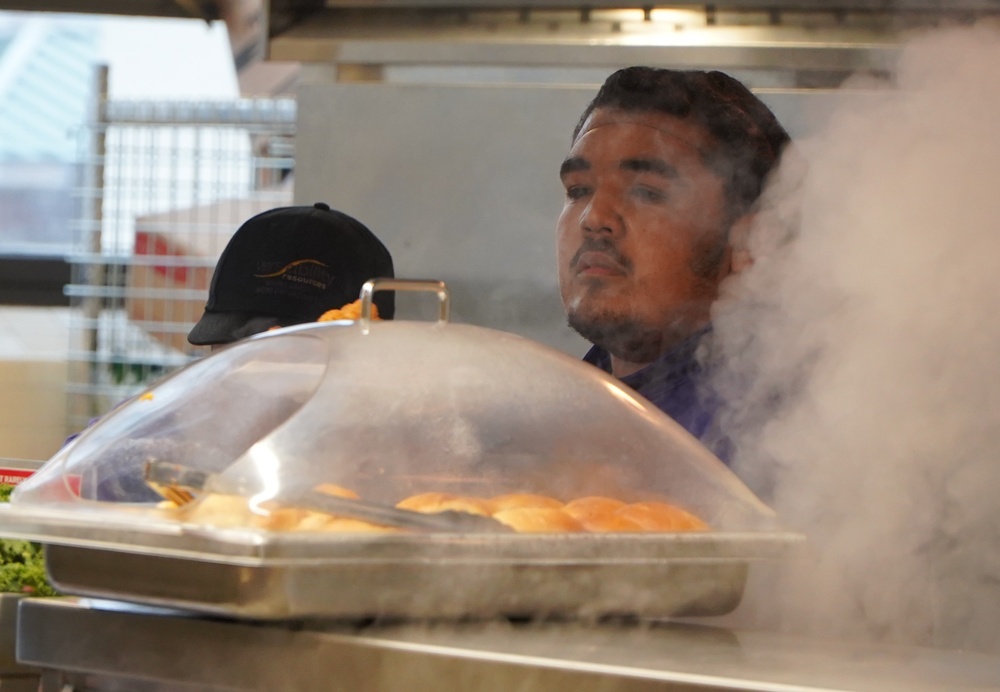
[(183, 484)]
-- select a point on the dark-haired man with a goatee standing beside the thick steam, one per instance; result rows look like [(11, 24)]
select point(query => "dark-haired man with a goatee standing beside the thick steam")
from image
[(661, 182)]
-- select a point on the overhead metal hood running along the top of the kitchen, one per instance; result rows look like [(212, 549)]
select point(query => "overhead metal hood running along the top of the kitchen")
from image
[(821, 41)]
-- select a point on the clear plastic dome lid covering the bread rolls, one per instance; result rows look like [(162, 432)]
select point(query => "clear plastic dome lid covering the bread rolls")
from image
[(393, 409)]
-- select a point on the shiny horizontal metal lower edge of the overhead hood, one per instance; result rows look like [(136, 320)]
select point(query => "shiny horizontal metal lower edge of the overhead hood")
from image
[(325, 38)]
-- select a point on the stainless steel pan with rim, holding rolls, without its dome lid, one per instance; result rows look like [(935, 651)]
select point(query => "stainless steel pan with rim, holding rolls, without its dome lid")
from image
[(248, 574)]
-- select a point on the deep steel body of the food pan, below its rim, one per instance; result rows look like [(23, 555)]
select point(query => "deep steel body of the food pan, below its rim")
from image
[(430, 589)]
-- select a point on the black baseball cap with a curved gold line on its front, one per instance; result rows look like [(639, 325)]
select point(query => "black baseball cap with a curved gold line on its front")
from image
[(287, 266)]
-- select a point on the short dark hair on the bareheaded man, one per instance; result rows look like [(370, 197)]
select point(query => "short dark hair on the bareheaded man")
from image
[(749, 139)]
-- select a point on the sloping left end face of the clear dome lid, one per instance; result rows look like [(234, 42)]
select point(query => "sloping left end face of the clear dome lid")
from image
[(203, 416)]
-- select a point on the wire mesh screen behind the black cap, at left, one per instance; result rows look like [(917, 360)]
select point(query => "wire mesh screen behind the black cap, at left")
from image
[(166, 186)]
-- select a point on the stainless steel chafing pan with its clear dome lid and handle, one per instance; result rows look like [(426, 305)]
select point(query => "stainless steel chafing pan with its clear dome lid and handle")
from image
[(389, 409)]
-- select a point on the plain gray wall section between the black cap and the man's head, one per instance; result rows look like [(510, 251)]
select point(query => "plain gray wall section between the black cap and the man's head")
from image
[(461, 183)]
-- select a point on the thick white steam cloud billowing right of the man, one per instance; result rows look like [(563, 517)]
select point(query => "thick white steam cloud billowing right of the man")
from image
[(862, 359)]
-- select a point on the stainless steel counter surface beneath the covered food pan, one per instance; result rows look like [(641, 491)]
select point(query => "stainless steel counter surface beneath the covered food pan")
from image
[(106, 644)]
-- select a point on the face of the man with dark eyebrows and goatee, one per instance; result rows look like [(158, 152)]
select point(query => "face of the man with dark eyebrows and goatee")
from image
[(642, 238)]
